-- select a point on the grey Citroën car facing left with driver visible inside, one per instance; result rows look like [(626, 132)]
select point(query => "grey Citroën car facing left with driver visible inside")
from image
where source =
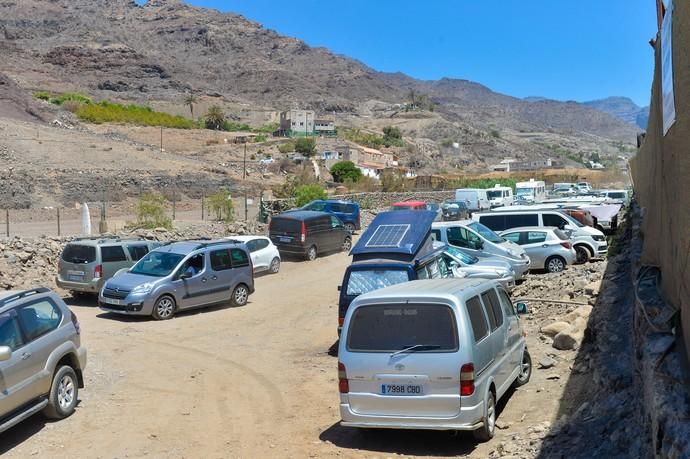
[(181, 276)]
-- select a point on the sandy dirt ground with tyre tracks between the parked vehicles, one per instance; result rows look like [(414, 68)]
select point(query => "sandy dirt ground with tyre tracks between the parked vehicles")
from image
[(255, 381)]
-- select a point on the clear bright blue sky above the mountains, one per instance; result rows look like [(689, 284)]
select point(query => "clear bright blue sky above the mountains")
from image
[(562, 49)]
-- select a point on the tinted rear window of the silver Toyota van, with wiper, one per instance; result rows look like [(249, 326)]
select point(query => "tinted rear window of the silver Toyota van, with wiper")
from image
[(391, 328)]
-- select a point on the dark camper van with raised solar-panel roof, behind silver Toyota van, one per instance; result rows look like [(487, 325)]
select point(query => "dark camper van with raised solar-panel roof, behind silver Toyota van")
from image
[(395, 248)]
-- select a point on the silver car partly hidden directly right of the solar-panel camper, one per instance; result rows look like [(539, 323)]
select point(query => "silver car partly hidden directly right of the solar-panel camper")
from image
[(470, 266)]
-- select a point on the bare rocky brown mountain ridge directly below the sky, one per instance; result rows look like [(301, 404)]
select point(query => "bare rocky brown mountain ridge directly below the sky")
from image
[(165, 48)]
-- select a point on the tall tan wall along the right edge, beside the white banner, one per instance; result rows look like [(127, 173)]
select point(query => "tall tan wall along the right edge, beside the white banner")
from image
[(661, 176)]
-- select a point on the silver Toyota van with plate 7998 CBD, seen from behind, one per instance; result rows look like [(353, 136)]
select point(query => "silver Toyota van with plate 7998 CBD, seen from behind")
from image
[(436, 354)]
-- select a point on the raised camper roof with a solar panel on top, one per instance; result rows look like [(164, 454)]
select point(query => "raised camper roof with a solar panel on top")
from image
[(399, 235)]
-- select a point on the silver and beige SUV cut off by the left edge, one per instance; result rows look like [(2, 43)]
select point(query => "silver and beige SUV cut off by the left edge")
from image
[(41, 357)]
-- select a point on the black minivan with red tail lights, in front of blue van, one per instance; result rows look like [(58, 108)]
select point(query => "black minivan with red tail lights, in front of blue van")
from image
[(306, 233)]
